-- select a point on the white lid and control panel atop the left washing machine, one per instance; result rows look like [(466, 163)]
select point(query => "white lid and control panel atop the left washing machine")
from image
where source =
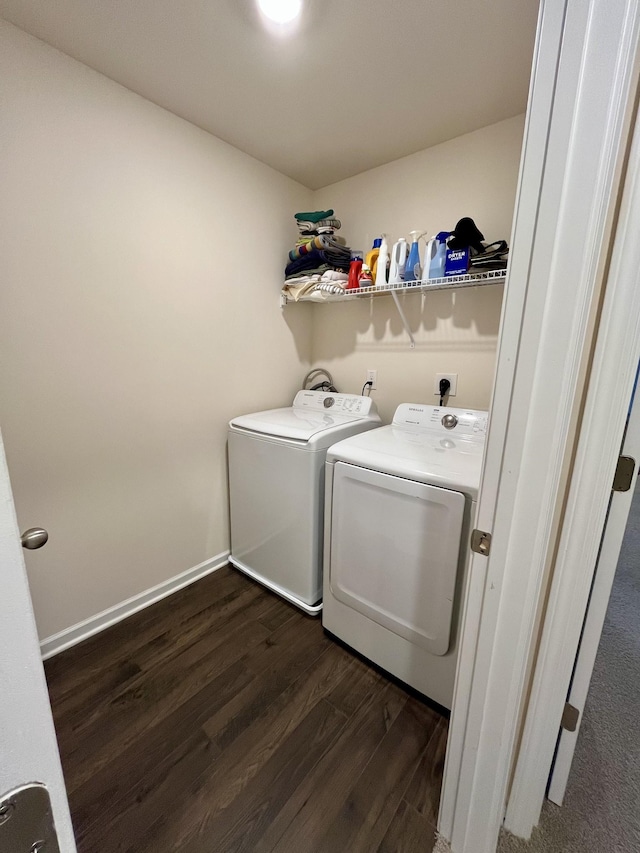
[(313, 414)]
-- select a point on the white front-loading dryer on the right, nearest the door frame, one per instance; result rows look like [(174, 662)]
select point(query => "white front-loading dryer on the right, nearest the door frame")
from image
[(399, 506)]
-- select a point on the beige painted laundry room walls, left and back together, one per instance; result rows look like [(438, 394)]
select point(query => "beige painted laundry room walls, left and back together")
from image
[(142, 260)]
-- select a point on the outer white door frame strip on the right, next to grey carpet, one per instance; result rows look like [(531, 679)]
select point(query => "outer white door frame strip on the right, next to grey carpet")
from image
[(603, 424)]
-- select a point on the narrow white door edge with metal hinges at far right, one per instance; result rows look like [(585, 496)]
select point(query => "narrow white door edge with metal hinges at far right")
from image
[(605, 570)]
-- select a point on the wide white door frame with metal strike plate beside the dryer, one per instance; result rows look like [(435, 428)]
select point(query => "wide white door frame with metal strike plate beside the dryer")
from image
[(576, 139)]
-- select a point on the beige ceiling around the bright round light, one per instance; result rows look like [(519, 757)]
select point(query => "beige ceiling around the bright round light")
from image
[(357, 84)]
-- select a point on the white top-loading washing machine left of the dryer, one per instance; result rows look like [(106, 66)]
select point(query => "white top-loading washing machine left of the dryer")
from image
[(276, 485)]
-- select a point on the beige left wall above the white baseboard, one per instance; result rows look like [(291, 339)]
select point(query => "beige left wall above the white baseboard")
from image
[(141, 264)]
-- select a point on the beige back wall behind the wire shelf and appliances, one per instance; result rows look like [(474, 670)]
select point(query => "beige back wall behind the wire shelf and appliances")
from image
[(474, 175)]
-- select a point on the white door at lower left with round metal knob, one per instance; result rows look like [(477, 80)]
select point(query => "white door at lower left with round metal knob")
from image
[(28, 748)]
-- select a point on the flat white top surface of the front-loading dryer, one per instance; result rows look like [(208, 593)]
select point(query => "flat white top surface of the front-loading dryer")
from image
[(420, 455)]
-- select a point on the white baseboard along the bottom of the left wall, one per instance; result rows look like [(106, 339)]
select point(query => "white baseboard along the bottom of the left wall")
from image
[(94, 624)]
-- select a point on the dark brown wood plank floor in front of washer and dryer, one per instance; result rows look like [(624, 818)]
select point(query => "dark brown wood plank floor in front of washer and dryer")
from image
[(224, 719)]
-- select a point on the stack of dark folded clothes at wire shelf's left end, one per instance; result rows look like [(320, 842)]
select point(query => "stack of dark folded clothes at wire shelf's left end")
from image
[(318, 249)]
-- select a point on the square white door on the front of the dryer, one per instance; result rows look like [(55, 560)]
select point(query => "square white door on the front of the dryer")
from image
[(395, 547)]
